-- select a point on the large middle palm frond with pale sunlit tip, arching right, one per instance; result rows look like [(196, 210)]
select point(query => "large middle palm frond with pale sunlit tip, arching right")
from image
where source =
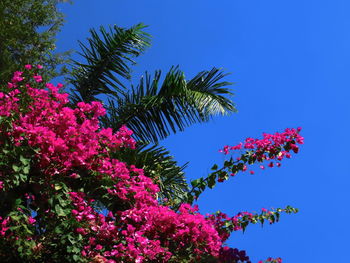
[(154, 111)]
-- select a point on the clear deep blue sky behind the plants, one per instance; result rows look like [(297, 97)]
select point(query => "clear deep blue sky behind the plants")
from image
[(291, 64)]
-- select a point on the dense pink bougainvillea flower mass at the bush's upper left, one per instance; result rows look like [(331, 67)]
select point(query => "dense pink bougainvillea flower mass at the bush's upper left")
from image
[(66, 137)]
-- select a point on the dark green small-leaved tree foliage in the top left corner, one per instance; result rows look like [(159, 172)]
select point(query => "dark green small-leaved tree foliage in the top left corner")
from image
[(27, 36)]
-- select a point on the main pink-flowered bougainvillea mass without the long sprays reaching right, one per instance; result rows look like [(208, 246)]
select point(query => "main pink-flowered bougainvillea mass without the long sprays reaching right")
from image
[(66, 168)]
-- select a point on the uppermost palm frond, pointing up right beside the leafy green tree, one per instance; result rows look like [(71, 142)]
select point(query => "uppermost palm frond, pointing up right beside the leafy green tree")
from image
[(108, 56)]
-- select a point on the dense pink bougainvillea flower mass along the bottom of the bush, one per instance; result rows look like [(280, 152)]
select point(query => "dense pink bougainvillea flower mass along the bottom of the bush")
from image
[(143, 234)]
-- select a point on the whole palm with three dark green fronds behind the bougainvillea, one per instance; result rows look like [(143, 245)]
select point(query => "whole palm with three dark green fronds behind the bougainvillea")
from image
[(154, 108)]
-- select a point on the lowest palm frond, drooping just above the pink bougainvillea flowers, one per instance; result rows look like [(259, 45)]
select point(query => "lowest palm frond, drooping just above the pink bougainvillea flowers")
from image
[(159, 165)]
